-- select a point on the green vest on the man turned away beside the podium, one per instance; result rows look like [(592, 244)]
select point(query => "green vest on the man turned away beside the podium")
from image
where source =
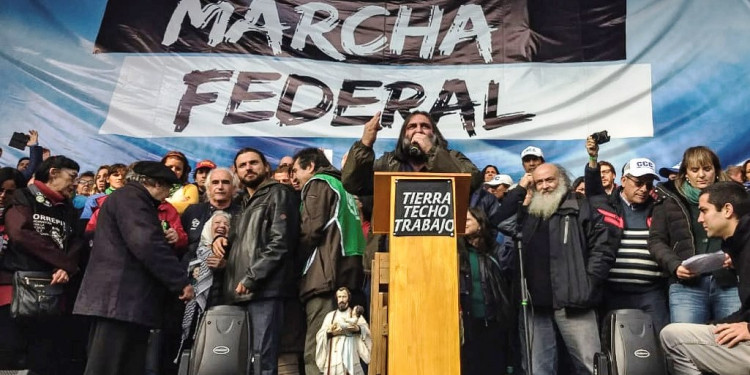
[(345, 217)]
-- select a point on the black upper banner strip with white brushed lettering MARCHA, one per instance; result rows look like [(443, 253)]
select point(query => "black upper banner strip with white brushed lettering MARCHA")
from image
[(439, 32)]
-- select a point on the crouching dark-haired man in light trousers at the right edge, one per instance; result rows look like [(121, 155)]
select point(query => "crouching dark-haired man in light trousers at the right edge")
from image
[(723, 348)]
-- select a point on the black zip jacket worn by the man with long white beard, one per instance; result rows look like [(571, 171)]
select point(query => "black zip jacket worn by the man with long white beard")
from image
[(582, 251)]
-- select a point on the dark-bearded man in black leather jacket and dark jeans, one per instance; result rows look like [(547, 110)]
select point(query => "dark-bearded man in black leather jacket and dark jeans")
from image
[(261, 248)]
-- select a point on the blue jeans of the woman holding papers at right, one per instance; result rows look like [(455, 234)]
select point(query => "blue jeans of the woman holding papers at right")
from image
[(702, 302)]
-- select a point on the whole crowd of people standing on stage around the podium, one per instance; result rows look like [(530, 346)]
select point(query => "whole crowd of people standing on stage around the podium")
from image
[(142, 253)]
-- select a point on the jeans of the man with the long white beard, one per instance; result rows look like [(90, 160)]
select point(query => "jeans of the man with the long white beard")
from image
[(580, 335)]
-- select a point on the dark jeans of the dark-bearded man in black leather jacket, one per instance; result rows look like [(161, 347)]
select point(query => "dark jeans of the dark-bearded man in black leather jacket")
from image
[(266, 318)]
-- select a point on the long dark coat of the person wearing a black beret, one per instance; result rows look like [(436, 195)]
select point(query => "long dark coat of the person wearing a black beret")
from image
[(132, 269)]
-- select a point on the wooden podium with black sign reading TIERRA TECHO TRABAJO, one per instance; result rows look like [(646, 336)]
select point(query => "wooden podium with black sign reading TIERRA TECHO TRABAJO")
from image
[(414, 307)]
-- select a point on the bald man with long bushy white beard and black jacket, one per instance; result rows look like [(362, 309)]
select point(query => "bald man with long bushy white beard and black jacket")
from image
[(572, 253)]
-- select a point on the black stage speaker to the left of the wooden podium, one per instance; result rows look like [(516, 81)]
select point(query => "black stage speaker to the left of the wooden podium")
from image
[(221, 343)]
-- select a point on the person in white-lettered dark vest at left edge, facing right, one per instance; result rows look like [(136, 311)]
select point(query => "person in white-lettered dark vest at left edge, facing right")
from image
[(40, 222)]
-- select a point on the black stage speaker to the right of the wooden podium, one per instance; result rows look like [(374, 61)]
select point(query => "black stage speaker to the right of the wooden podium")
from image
[(630, 345)]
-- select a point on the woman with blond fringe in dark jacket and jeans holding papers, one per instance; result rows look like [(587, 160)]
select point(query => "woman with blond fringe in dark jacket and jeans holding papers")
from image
[(675, 235)]
